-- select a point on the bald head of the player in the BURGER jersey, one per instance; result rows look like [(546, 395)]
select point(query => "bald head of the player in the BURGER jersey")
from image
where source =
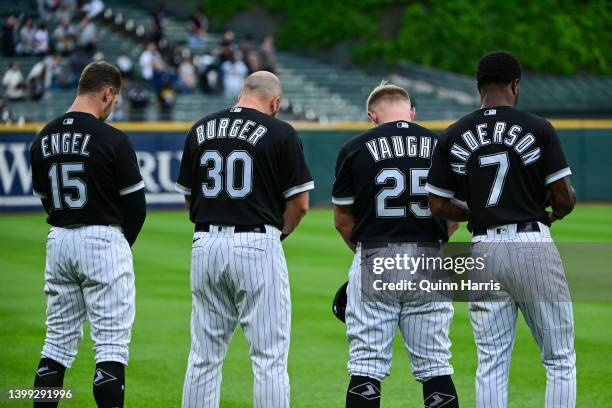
[(261, 90)]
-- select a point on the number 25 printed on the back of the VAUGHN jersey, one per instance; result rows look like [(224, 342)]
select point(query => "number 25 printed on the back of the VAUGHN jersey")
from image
[(417, 178)]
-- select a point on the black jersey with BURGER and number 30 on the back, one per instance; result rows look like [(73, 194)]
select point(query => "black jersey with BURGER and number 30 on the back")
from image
[(240, 166)]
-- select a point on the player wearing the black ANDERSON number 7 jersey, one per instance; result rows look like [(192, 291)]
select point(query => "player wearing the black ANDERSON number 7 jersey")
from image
[(505, 163)]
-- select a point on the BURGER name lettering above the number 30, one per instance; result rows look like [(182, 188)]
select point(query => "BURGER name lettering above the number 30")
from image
[(237, 128)]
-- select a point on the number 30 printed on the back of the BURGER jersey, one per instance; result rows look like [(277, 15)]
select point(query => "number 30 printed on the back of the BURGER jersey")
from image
[(213, 161)]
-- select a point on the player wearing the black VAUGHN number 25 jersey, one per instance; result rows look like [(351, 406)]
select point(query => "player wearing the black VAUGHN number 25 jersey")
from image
[(379, 197)]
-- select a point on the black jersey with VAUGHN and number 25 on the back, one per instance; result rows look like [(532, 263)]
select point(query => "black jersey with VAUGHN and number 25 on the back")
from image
[(382, 174)]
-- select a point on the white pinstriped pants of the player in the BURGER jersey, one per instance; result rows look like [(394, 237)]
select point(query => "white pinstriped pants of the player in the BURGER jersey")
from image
[(238, 278)]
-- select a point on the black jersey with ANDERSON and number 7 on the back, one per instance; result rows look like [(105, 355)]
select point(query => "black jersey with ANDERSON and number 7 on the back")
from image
[(500, 161)]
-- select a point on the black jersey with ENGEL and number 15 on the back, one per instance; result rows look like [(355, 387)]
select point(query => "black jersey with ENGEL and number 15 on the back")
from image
[(81, 166)]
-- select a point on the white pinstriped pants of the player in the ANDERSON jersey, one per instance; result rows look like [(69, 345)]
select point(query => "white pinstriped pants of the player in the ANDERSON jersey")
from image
[(551, 322)]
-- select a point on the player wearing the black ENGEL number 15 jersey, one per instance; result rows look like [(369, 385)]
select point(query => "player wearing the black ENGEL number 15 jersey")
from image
[(86, 175)]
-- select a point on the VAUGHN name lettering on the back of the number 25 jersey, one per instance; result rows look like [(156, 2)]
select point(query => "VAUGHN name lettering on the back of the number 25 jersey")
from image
[(390, 147)]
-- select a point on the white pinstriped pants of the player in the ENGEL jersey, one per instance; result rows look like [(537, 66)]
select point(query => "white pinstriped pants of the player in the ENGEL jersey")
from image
[(89, 274)]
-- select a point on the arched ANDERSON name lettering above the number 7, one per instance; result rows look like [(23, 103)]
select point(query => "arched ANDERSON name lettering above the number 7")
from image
[(501, 134)]
